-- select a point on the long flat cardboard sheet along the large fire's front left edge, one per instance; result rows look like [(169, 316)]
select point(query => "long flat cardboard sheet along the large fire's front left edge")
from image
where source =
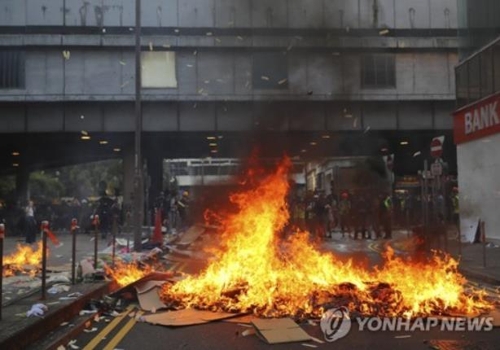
[(186, 317)]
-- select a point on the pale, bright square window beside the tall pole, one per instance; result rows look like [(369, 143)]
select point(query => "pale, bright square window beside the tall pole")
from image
[(158, 69)]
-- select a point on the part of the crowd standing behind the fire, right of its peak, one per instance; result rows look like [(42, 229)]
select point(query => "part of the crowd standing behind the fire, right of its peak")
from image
[(366, 214)]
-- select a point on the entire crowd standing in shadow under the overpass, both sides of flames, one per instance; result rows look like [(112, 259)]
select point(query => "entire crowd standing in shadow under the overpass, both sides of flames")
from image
[(360, 215)]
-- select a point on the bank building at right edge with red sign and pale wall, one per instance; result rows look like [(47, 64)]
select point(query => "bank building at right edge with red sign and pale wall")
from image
[(477, 119)]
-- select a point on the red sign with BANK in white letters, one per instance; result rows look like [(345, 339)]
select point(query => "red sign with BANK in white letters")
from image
[(478, 120)]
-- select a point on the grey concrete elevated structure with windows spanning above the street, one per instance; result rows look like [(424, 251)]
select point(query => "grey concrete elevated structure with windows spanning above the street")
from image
[(366, 72)]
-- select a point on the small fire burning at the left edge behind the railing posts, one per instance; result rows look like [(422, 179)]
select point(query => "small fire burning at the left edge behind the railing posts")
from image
[(25, 260)]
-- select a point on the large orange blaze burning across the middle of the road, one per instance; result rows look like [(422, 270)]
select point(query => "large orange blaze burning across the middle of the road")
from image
[(256, 271)]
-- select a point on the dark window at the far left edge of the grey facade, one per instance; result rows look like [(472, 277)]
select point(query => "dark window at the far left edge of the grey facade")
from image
[(12, 73)]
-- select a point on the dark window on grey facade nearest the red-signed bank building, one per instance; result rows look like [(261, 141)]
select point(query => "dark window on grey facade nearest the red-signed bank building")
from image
[(378, 71)]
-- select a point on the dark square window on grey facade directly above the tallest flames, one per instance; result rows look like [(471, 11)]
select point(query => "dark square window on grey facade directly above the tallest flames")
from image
[(270, 71)]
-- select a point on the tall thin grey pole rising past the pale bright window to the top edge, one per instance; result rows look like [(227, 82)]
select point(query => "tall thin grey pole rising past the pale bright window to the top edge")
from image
[(138, 183)]
